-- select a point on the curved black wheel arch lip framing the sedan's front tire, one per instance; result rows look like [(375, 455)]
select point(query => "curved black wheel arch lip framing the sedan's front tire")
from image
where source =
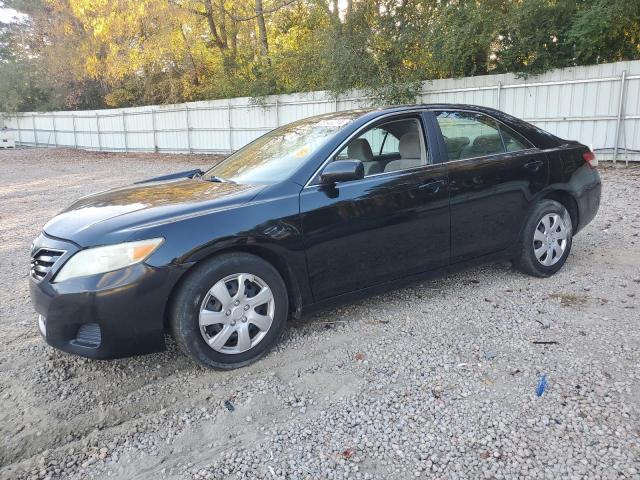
[(268, 255)]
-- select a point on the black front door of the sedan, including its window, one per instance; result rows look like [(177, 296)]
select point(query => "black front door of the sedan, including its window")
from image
[(389, 225)]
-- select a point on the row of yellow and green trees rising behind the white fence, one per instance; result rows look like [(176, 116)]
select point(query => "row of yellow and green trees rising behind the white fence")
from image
[(93, 53)]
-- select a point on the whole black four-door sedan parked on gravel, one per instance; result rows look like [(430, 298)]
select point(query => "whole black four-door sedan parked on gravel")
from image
[(314, 213)]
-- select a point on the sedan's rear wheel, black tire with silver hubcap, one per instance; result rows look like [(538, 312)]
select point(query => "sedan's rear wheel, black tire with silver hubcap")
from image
[(542, 255)]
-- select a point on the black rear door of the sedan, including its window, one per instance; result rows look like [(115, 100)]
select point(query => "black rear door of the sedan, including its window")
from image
[(494, 173)]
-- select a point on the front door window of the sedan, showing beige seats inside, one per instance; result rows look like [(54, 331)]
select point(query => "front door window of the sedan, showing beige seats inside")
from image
[(391, 146)]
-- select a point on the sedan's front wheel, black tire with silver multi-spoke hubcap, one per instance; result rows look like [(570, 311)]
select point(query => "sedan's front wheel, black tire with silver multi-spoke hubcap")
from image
[(240, 319)]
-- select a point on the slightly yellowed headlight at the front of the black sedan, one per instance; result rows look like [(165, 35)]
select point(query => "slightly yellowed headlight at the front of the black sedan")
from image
[(93, 261)]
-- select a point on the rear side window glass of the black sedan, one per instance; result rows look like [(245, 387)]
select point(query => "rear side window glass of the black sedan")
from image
[(471, 134)]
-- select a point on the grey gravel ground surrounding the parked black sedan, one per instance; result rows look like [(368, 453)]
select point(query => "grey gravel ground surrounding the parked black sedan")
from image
[(433, 381)]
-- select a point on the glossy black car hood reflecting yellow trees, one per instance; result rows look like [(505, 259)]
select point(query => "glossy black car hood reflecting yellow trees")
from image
[(115, 215)]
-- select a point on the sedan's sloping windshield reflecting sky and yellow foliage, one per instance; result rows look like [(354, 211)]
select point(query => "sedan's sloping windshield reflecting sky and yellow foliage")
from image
[(274, 156)]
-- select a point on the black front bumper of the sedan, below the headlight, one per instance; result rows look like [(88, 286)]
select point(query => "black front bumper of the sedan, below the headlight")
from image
[(111, 315)]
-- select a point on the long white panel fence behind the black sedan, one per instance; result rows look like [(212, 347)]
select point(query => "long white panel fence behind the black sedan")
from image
[(598, 105)]
